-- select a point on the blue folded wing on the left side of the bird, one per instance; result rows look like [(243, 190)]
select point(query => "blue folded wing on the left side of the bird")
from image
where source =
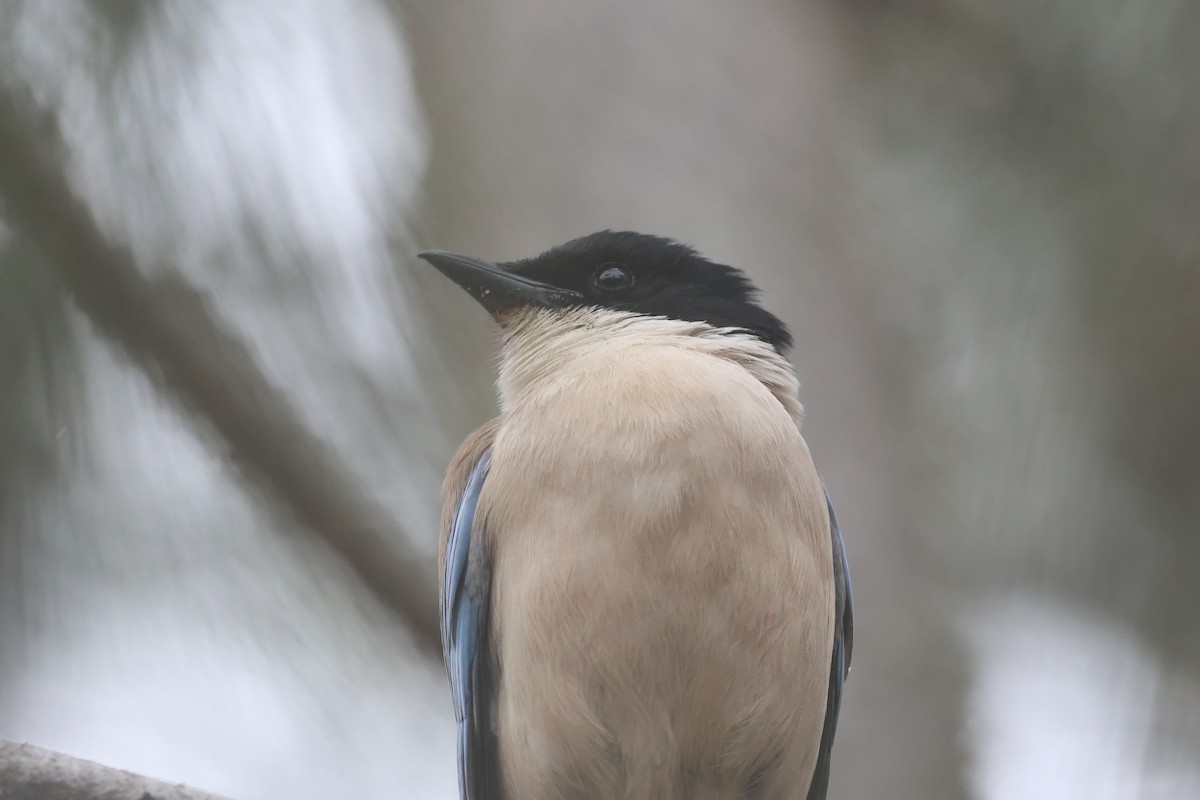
[(466, 592)]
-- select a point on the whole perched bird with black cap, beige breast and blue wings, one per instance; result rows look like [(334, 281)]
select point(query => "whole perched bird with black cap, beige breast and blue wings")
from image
[(644, 588)]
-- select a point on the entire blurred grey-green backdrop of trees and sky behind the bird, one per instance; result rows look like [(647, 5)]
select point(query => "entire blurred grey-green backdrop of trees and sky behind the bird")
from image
[(229, 390)]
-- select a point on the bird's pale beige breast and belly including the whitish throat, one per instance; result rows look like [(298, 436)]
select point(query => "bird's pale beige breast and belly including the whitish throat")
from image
[(663, 585)]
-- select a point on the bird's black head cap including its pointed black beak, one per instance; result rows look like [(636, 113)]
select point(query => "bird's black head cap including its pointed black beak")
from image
[(625, 272)]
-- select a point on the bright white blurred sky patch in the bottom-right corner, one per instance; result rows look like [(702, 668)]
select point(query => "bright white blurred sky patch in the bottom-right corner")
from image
[(1063, 707)]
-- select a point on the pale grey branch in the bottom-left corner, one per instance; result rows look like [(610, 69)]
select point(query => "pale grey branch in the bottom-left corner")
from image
[(29, 773)]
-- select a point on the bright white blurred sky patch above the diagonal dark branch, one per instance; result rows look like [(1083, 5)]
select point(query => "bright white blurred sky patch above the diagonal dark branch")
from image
[(268, 152)]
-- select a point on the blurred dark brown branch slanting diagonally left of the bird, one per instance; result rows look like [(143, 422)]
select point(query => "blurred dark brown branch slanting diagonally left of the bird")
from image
[(171, 332)]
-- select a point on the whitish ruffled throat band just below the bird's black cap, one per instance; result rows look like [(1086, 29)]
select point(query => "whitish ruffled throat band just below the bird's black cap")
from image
[(539, 342)]
